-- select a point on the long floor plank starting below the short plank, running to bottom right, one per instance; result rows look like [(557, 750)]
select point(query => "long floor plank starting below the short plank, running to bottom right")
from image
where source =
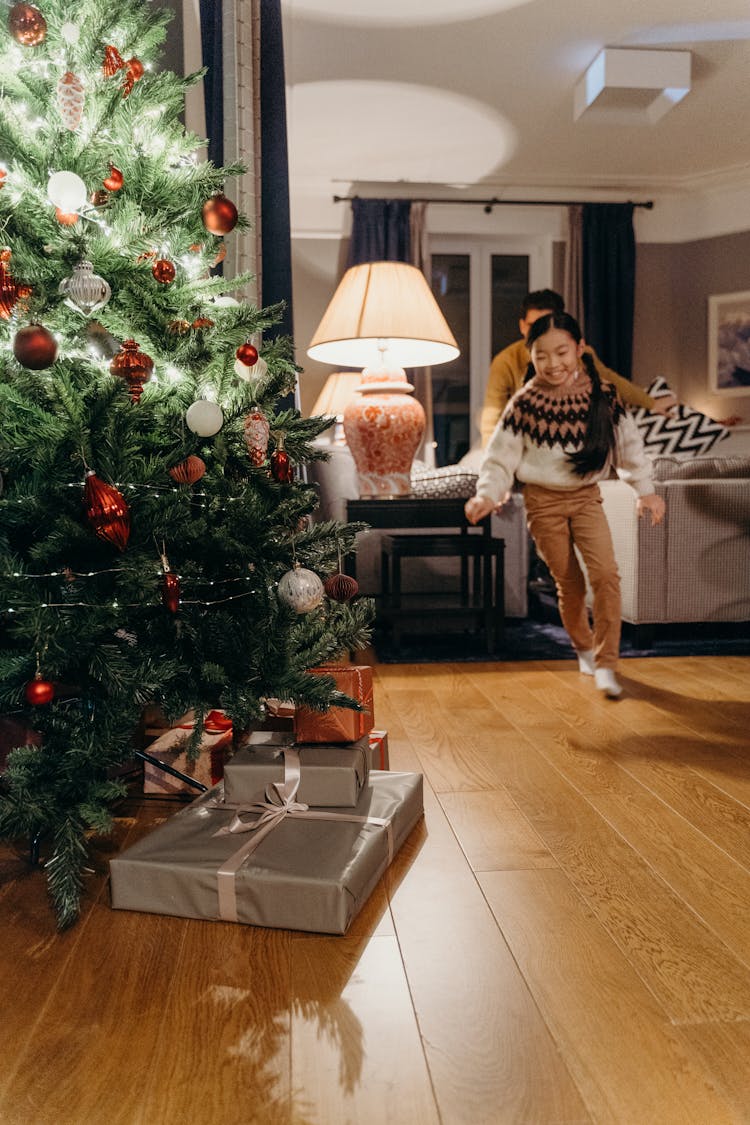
[(630, 1067)]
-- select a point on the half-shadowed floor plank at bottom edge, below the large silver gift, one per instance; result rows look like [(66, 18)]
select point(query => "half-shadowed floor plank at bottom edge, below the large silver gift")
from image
[(357, 1052)]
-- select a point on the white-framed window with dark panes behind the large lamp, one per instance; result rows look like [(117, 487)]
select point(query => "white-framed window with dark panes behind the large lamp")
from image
[(480, 285)]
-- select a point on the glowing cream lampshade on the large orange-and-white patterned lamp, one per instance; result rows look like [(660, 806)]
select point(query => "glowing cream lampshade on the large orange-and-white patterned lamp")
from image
[(384, 308)]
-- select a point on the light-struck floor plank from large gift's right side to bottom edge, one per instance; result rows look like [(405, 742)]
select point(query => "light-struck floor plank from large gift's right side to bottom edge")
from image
[(471, 1001)]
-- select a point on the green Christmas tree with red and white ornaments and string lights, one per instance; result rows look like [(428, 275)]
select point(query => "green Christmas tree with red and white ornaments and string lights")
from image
[(156, 542)]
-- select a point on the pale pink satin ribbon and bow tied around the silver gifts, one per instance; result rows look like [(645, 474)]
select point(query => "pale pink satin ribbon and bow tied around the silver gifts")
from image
[(279, 805)]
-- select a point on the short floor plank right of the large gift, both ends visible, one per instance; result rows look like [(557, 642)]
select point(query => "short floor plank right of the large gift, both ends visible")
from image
[(494, 833)]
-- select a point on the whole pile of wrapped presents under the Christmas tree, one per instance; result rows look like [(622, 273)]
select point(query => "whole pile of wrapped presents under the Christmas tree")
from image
[(294, 829)]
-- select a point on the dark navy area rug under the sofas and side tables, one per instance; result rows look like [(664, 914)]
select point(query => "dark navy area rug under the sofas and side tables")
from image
[(544, 638)]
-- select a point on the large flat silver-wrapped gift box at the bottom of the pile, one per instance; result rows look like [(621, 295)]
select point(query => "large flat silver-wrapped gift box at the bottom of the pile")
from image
[(311, 871)]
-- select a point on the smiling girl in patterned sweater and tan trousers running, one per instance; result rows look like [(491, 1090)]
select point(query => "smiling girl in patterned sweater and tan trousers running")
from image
[(561, 435)]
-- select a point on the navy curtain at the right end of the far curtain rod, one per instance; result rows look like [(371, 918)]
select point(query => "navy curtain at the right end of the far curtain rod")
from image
[(609, 283)]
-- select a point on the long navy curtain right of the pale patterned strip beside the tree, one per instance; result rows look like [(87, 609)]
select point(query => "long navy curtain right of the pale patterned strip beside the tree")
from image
[(276, 232)]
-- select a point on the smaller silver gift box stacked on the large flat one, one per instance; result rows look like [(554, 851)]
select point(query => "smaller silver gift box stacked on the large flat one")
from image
[(330, 776)]
